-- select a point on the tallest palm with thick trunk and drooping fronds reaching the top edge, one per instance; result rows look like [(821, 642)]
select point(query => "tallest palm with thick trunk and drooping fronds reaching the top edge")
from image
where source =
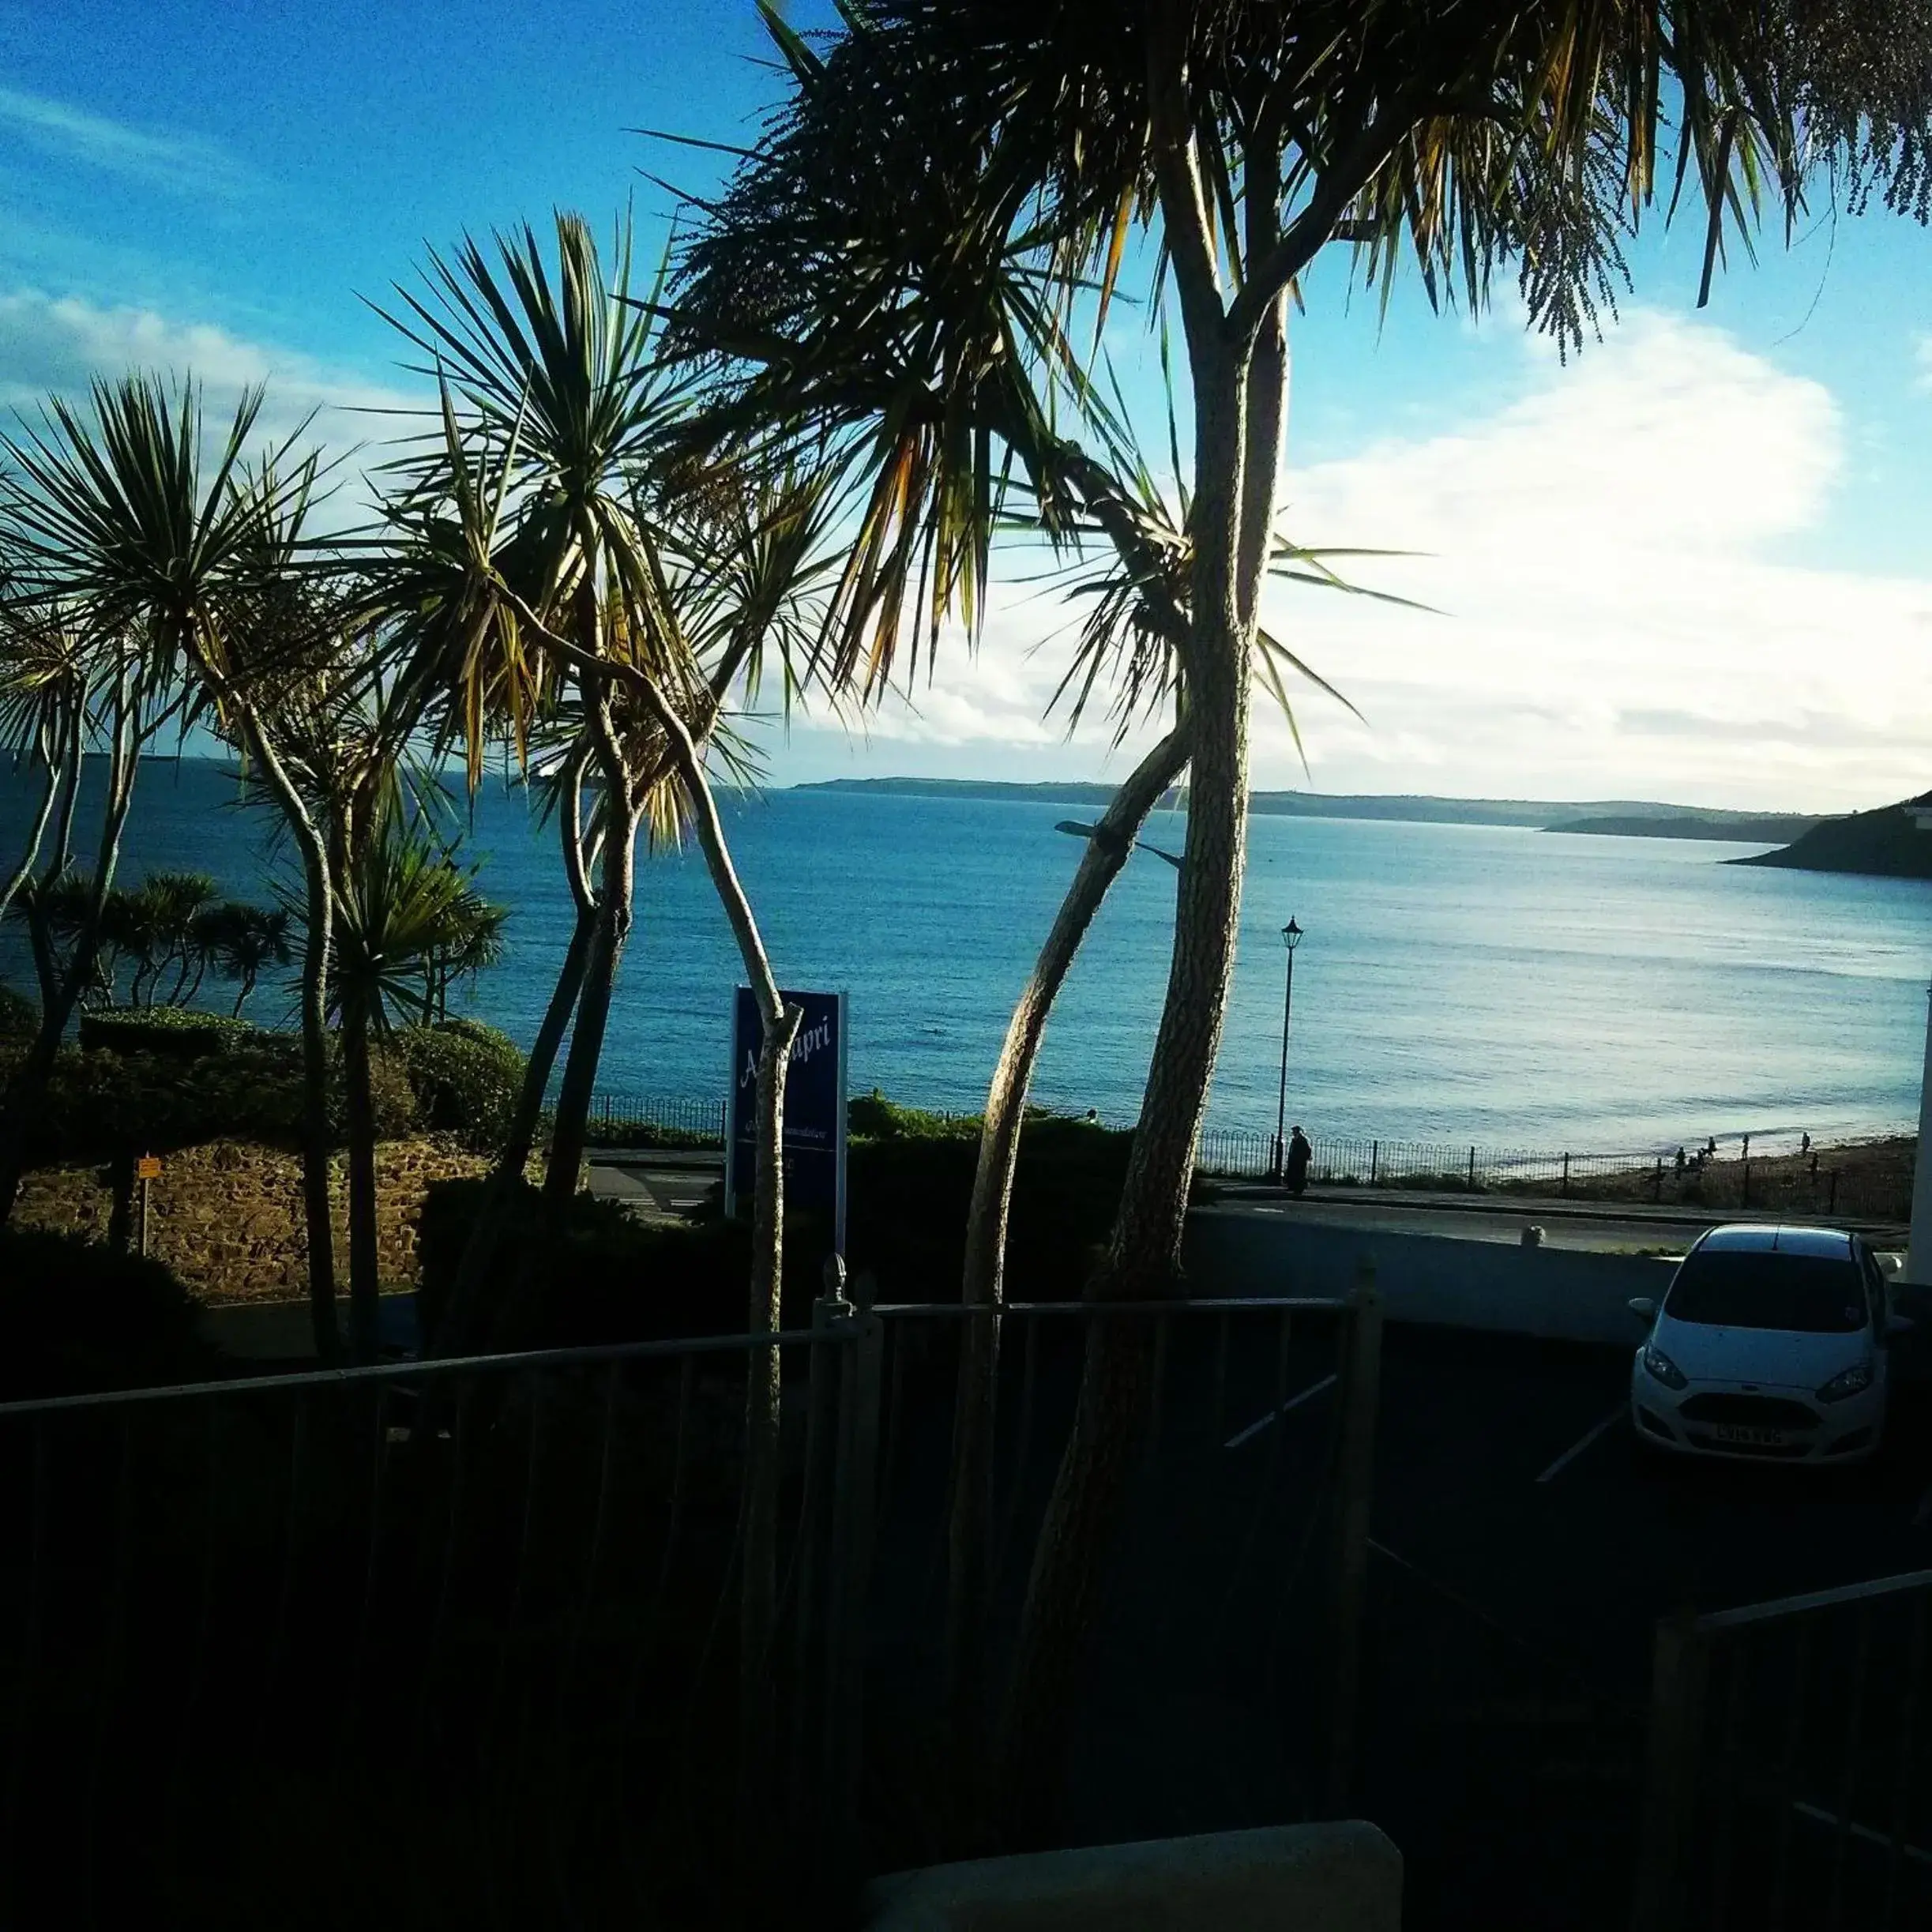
[(950, 194)]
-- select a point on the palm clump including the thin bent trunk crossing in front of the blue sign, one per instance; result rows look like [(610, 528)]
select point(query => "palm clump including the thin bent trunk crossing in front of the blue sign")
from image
[(637, 584)]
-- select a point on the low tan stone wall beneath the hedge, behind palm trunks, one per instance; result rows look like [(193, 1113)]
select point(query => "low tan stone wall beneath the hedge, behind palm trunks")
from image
[(227, 1216)]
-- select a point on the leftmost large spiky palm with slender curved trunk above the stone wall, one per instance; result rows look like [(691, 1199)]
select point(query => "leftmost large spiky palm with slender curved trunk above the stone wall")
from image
[(185, 563)]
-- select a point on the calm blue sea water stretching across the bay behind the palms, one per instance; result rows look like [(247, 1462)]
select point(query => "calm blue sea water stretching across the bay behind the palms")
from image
[(1471, 984)]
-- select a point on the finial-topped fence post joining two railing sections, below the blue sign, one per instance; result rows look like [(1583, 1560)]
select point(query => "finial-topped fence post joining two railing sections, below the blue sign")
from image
[(855, 1489)]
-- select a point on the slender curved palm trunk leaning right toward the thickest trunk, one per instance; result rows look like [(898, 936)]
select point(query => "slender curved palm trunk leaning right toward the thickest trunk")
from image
[(986, 1243)]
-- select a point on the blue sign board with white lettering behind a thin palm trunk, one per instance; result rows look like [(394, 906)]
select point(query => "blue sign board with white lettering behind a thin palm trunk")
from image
[(814, 1108)]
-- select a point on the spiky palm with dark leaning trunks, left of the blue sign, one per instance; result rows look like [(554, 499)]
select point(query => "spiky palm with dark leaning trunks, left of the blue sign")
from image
[(590, 565)]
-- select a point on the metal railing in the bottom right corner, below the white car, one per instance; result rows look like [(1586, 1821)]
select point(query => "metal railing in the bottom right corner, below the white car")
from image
[(1790, 1767)]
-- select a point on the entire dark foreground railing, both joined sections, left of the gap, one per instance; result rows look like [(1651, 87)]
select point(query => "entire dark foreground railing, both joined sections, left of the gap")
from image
[(463, 1643)]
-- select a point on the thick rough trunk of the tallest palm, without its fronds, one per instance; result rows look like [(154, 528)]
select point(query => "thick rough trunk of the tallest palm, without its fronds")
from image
[(1145, 1253)]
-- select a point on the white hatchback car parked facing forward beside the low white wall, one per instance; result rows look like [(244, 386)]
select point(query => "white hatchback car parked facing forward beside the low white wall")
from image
[(1771, 1346)]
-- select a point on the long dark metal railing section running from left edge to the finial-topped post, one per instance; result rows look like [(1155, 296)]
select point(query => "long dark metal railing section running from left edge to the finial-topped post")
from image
[(461, 1630)]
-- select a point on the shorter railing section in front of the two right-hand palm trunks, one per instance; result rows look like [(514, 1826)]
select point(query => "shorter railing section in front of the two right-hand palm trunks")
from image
[(1245, 1527)]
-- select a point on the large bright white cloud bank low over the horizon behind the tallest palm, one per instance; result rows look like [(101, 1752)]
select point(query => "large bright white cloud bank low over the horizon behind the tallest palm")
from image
[(1620, 611)]
